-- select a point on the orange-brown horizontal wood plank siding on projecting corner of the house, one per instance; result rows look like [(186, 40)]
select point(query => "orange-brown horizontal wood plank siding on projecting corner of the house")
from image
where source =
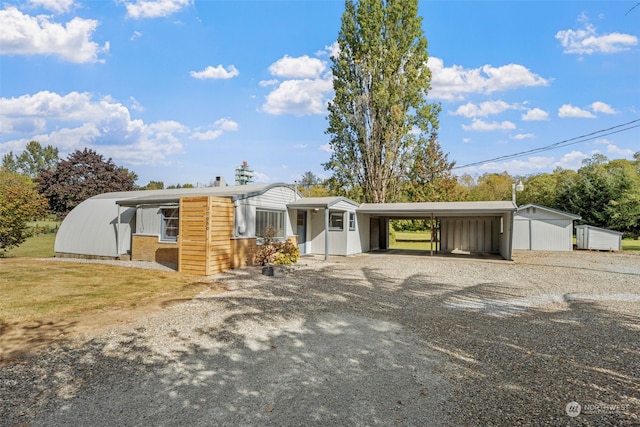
[(206, 228)]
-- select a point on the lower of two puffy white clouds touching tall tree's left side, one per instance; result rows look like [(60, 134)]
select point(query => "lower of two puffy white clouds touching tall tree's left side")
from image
[(298, 97)]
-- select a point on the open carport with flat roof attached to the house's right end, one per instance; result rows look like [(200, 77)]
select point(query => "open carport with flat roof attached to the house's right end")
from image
[(465, 227)]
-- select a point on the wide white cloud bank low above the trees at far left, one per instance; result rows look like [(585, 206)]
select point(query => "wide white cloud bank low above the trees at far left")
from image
[(76, 120)]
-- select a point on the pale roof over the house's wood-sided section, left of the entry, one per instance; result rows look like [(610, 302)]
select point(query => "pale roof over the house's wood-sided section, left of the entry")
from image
[(236, 192)]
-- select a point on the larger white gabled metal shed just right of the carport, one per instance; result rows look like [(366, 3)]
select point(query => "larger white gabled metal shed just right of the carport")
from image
[(539, 228)]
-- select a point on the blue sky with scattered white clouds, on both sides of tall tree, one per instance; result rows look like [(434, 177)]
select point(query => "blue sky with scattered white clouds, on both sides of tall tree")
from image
[(182, 91)]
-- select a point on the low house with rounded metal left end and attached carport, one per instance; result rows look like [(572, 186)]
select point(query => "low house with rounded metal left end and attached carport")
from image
[(207, 230)]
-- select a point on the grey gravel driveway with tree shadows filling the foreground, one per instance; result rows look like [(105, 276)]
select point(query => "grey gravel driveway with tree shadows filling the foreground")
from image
[(376, 339)]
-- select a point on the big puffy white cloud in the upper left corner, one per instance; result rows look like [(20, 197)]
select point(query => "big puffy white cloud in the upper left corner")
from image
[(22, 34)]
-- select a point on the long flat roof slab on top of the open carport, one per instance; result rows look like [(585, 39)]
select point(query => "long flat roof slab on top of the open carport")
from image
[(426, 209)]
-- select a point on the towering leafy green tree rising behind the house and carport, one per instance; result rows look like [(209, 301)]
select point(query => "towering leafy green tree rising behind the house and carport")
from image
[(381, 81)]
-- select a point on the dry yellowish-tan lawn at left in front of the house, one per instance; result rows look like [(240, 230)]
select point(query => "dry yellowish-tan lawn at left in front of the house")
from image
[(37, 290)]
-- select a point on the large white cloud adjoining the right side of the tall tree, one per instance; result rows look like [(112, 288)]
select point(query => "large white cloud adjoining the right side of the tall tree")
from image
[(455, 82)]
